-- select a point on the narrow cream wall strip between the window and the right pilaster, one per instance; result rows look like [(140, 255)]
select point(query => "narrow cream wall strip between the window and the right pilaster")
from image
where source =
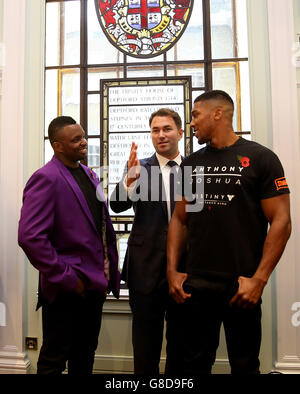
[(261, 119)]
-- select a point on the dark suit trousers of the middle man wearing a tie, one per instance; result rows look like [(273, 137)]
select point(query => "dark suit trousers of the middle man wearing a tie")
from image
[(148, 315)]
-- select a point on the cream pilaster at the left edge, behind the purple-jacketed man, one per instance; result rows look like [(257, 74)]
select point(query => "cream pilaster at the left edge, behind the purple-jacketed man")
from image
[(12, 356)]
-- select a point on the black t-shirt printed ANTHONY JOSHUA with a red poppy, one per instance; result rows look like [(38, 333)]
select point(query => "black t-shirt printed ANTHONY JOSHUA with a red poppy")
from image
[(227, 227)]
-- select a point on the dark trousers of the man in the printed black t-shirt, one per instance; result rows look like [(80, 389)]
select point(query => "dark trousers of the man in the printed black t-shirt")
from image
[(203, 315)]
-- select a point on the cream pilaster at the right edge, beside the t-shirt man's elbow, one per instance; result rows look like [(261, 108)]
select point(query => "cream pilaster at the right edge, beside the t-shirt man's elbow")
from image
[(285, 122)]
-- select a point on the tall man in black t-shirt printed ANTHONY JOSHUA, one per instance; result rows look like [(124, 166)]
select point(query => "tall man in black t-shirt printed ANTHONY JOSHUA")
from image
[(231, 190)]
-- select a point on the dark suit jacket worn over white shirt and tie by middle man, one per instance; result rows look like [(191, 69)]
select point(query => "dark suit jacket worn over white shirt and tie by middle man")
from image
[(145, 261)]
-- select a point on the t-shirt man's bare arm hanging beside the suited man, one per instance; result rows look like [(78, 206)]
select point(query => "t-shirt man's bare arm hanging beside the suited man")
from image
[(176, 243)]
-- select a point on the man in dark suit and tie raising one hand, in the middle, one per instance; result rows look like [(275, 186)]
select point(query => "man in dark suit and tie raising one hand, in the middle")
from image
[(146, 187)]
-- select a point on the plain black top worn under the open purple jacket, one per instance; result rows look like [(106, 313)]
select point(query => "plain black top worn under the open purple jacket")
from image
[(89, 191)]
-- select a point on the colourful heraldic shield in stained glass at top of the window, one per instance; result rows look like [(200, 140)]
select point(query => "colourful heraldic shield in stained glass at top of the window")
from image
[(143, 28)]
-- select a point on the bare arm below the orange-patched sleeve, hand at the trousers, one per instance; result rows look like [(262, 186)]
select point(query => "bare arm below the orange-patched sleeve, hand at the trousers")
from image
[(277, 212)]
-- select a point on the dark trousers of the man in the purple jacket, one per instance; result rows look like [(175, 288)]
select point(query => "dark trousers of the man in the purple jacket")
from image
[(71, 326)]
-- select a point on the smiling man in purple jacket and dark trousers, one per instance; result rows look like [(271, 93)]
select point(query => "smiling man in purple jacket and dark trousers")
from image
[(66, 232)]
